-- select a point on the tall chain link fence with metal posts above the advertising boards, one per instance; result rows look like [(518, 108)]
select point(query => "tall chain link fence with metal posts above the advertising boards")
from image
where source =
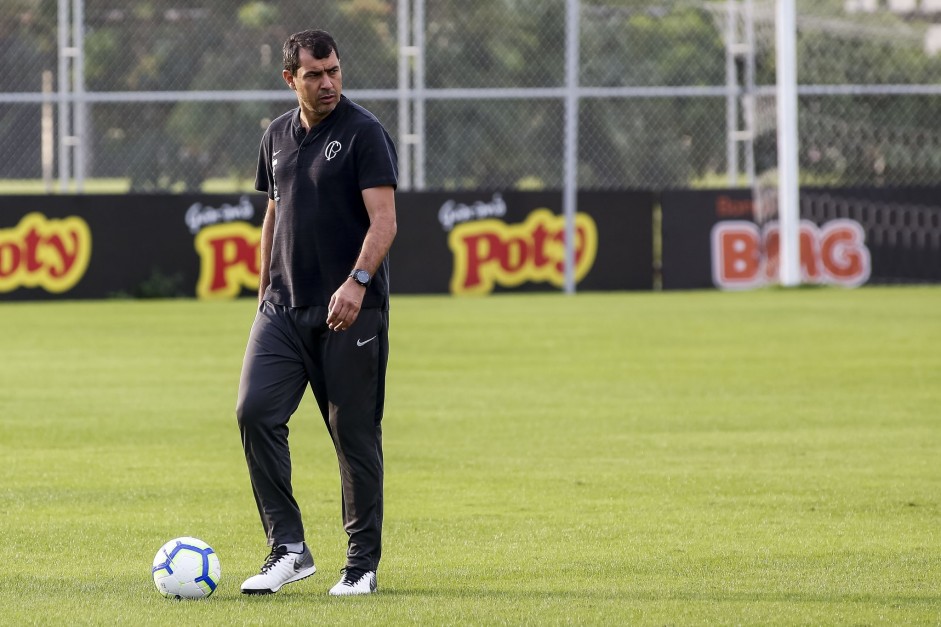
[(159, 95)]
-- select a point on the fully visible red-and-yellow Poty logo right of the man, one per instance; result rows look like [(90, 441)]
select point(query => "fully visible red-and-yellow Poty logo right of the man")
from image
[(491, 252)]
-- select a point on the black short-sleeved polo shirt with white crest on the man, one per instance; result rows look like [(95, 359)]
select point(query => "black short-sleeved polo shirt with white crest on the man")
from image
[(316, 179)]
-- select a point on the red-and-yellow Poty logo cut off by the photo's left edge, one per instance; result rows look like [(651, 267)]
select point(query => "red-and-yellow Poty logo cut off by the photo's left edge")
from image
[(42, 252)]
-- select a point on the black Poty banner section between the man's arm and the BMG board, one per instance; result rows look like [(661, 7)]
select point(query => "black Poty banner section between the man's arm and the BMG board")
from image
[(480, 243)]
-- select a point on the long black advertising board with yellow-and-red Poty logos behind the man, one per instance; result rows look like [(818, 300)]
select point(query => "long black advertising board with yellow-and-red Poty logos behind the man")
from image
[(207, 246)]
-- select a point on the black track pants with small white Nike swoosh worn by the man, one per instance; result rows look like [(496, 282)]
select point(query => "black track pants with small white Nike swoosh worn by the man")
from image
[(289, 348)]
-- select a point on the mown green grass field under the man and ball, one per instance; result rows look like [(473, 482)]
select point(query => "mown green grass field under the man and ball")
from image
[(770, 457)]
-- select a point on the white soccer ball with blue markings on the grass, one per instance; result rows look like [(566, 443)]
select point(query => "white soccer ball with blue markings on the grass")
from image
[(186, 568)]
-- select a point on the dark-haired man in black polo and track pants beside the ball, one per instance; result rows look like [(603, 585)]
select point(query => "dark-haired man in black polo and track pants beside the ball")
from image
[(329, 169)]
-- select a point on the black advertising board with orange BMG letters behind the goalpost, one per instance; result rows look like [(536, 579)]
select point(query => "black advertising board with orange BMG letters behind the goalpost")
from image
[(847, 237)]
